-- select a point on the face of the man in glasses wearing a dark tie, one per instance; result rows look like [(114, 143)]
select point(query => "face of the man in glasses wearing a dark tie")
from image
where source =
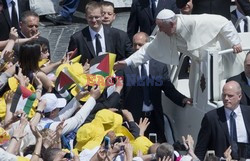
[(94, 18)]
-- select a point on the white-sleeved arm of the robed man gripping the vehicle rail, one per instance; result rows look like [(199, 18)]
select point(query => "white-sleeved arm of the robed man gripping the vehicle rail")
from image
[(231, 35)]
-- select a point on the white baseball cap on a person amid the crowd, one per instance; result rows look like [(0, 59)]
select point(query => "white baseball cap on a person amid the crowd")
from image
[(52, 102)]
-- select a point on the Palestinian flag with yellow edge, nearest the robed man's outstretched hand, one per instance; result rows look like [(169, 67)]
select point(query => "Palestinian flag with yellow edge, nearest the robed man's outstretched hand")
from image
[(102, 65)]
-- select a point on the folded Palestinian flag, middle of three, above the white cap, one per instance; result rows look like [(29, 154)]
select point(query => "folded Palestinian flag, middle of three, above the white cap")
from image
[(63, 83)]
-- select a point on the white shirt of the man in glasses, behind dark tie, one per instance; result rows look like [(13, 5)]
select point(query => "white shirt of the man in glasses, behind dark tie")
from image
[(101, 38)]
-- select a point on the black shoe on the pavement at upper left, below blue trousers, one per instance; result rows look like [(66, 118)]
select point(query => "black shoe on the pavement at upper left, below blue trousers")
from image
[(59, 19)]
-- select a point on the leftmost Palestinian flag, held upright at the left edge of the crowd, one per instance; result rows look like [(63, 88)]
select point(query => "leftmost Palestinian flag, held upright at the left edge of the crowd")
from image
[(23, 100)]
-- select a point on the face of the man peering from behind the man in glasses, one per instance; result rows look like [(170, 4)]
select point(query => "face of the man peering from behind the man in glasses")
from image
[(108, 15)]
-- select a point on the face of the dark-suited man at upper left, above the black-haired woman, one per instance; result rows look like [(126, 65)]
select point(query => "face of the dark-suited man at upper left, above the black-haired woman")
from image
[(29, 27)]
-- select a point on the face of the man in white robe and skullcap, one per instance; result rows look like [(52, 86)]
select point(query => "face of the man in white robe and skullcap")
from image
[(167, 28)]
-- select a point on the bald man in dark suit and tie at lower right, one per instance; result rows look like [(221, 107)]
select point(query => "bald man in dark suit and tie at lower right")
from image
[(225, 126)]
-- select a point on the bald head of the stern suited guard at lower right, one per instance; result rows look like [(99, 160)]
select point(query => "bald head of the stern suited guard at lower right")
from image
[(231, 95)]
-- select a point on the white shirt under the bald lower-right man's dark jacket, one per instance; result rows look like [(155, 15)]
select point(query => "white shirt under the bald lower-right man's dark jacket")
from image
[(240, 124)]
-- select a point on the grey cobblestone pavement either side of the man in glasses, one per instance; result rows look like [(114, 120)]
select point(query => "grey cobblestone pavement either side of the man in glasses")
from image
[(59, 36)]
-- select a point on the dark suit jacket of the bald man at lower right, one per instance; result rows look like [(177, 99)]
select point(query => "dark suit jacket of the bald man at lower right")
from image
[(214, 134)]
